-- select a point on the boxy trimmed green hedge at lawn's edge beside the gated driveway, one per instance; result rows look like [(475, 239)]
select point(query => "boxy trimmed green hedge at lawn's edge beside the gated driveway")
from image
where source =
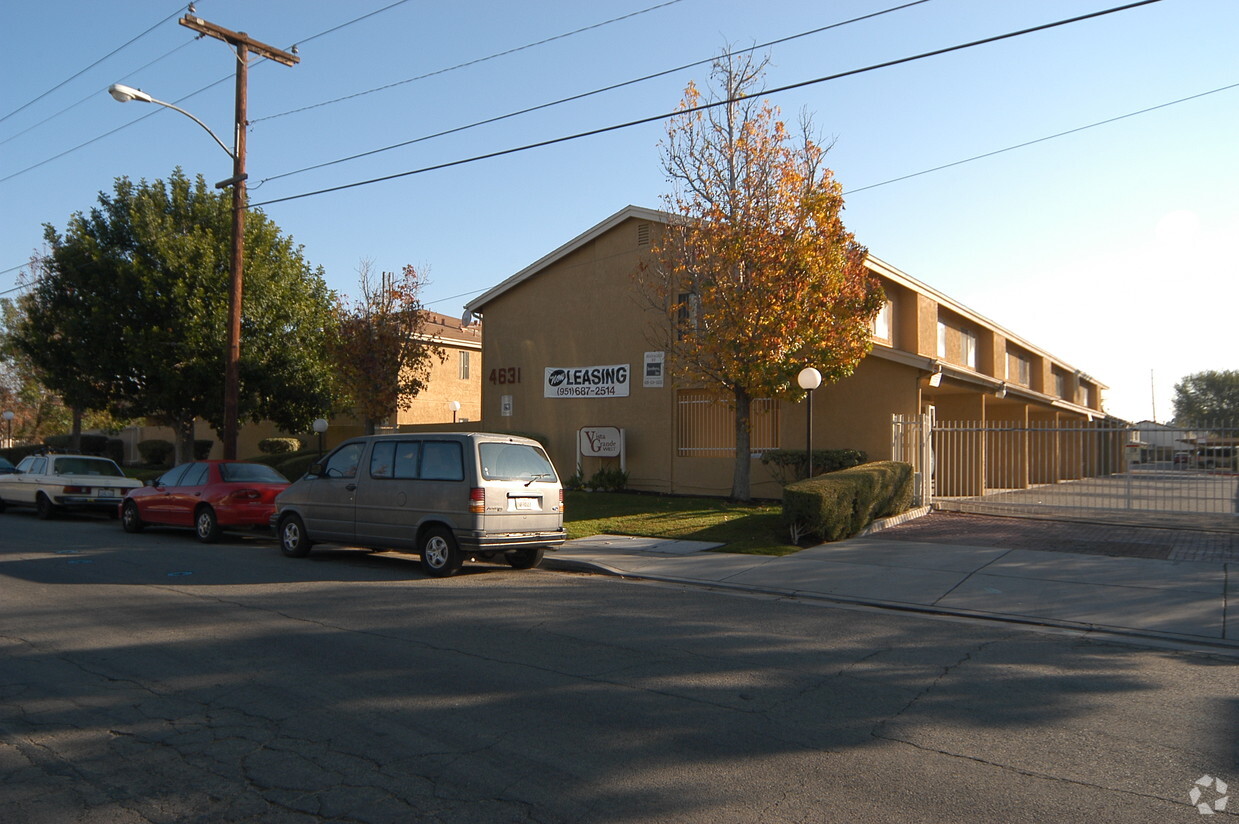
[(842, 504)]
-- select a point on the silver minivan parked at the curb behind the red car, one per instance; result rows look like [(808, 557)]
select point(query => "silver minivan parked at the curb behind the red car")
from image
[(448, 497)]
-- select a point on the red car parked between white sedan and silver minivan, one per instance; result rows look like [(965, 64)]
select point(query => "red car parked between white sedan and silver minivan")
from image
[(210, 496)]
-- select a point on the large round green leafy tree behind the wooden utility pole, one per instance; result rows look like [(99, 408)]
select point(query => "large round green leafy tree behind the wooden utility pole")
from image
[(129, 310)]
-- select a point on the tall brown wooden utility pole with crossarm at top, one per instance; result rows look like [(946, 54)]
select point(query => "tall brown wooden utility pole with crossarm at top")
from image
[(245, 45)]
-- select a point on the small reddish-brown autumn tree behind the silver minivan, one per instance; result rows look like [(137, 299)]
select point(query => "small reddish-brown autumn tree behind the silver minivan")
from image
[(382, 353)]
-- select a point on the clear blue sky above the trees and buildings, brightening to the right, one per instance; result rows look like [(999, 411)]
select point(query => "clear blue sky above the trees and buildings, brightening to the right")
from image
[(1114, 248)]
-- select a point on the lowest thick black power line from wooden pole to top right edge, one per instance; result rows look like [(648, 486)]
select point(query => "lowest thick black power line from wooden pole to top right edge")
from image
[(709, 106)]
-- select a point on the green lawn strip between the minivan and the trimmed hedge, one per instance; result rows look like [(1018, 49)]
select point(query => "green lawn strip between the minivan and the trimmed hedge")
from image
[(755, 528)]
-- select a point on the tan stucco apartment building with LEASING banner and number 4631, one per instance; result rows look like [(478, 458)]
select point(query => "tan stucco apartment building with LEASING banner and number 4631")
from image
[(567, 354)]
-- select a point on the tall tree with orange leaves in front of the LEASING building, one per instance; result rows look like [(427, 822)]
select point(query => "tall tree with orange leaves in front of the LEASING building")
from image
[(756, 271)]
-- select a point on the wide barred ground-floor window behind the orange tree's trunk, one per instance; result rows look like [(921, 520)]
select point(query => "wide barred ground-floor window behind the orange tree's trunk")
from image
[(707, 424)]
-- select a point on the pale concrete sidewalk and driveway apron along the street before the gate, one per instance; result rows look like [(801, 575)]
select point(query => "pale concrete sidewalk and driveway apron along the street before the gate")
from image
[(1152, 599)]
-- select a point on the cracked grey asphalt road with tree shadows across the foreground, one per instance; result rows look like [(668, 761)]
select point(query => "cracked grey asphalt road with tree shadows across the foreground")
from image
[(149, 678)]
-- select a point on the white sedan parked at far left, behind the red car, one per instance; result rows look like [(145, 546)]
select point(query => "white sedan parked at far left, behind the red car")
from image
[(55, 483)]
